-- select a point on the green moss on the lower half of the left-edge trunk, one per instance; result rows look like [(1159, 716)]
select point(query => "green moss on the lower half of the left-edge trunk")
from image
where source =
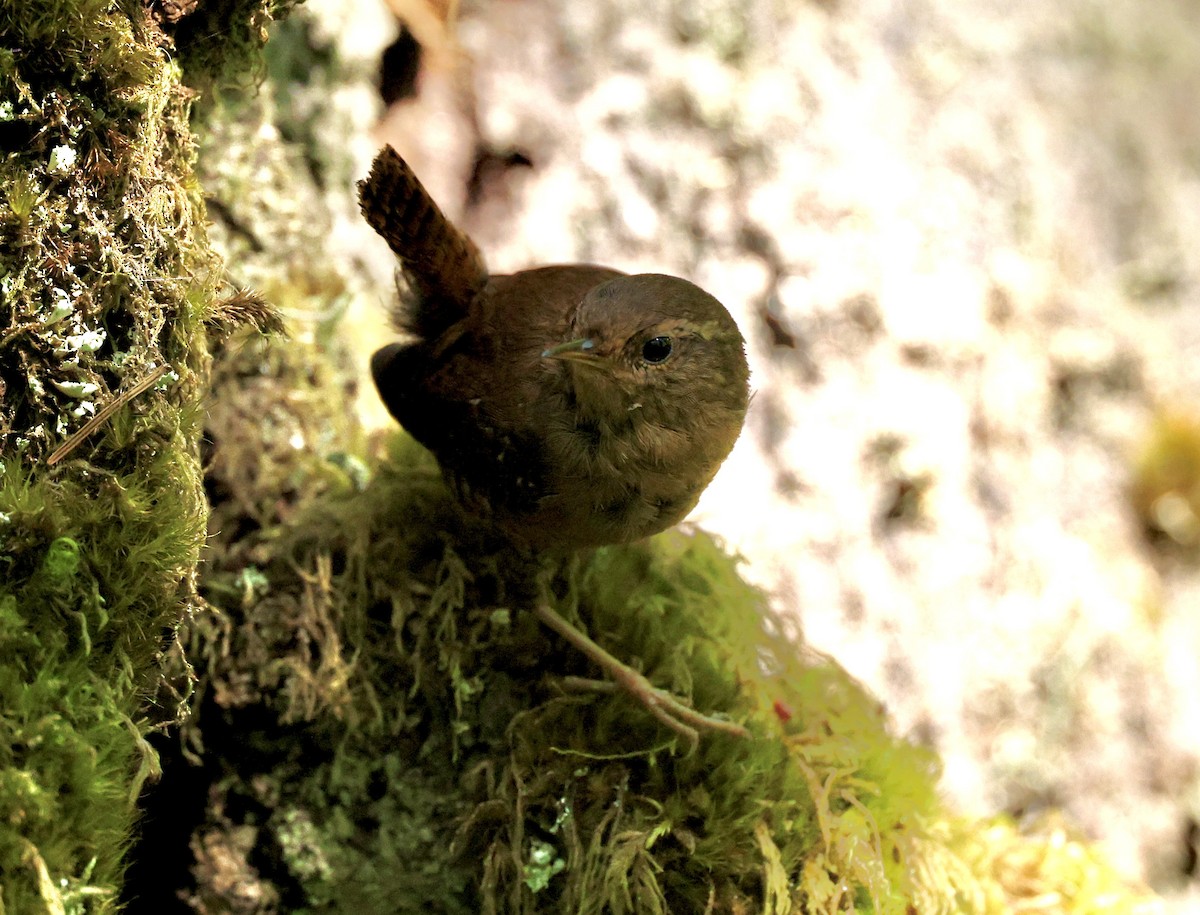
[(98, 569)]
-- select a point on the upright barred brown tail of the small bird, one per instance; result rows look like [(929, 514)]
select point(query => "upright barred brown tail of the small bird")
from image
[(441, 264)]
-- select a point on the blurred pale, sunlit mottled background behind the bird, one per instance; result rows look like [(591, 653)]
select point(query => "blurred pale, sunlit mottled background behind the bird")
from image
[(963, 241)]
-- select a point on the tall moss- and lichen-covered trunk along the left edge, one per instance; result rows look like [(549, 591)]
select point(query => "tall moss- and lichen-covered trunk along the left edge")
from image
[(106, 279)]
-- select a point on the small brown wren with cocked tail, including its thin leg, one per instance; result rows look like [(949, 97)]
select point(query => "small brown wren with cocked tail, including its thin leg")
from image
[(575, 406)]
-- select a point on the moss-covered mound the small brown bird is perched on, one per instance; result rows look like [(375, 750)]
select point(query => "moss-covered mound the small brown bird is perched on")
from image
[(409, 738)]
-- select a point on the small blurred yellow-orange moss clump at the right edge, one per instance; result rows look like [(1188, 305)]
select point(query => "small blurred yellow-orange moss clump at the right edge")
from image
[(1166, 488)]
